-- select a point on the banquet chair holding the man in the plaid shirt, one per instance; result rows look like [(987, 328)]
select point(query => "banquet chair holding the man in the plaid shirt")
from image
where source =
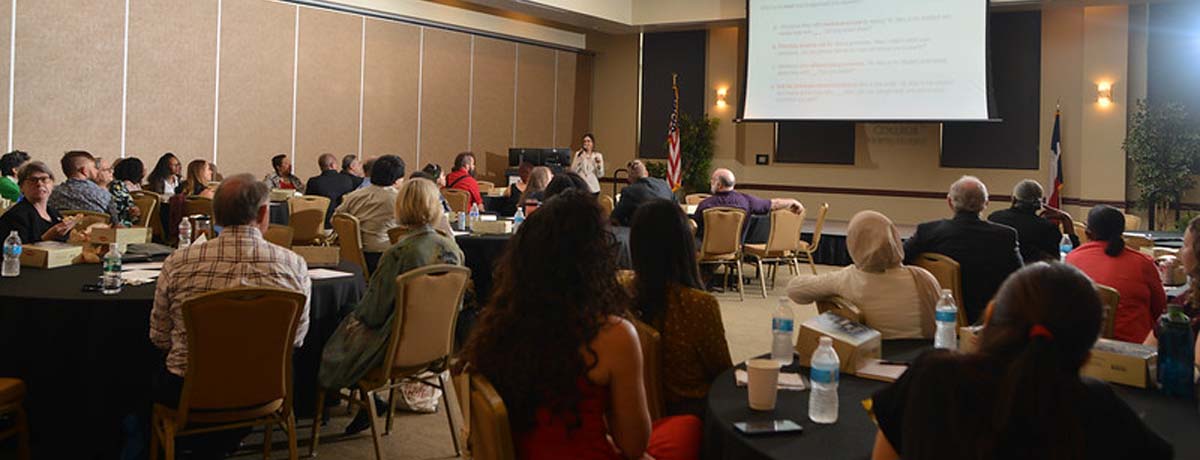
[(235, 384)]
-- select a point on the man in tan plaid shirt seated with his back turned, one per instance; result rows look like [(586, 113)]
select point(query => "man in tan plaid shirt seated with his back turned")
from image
[(239, 258)]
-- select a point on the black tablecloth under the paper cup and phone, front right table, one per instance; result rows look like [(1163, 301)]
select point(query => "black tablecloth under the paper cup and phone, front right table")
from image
[(853, 437)]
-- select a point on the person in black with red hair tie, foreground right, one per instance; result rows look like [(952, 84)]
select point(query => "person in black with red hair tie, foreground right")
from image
[(1021, 396)]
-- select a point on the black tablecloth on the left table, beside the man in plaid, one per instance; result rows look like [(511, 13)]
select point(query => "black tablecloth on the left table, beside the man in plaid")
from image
[(88, 360)]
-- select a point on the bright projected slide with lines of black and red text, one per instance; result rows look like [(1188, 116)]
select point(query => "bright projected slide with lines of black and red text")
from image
[(867, 61)]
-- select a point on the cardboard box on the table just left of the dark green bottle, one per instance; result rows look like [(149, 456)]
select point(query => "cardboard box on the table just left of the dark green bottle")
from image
[(1117, 362)]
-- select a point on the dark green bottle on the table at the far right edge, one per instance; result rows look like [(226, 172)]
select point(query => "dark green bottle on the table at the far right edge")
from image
[(1175, 354)]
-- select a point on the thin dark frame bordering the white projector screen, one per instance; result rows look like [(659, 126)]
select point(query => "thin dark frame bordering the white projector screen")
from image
[(993, 116)]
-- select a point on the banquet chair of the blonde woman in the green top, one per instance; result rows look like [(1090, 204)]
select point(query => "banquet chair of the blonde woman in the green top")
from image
[(428, 303)]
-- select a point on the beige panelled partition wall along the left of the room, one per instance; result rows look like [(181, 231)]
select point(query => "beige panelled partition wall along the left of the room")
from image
[(242, 81)]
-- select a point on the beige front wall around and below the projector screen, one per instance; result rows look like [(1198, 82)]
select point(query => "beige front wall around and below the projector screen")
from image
[(1079, 47)]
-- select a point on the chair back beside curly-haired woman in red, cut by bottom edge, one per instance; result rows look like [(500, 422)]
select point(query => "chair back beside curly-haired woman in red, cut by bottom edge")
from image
[(491, 438)]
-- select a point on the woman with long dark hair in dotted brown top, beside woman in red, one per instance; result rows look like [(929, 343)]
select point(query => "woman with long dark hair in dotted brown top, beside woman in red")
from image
[(670, 297)]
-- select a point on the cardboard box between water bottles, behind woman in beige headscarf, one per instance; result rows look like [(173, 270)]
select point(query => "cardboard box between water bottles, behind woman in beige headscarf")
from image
[(855, 343)]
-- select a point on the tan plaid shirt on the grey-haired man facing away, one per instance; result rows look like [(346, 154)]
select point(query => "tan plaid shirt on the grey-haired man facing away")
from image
[(239, 258)]
